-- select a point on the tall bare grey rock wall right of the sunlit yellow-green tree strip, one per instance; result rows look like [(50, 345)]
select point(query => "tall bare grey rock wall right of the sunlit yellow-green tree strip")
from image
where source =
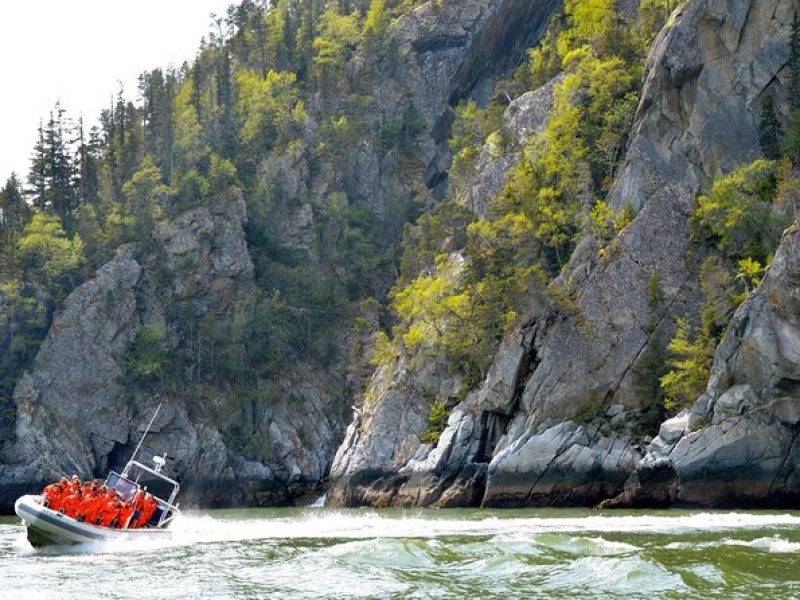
[(520, 440)]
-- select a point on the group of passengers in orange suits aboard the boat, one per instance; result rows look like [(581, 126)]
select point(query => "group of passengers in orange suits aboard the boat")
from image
[(94, 503)]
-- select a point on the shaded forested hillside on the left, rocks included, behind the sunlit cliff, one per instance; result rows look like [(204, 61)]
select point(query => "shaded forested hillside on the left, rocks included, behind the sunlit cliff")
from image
[(331, 119)]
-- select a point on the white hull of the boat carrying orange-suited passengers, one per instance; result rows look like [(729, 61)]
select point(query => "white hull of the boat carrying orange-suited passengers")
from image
[(50, 528)]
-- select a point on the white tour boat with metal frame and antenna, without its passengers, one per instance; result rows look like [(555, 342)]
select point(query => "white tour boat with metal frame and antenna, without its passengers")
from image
[(47, 527)]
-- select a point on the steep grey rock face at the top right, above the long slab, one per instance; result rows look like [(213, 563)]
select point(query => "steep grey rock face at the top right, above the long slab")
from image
[(698, 116)]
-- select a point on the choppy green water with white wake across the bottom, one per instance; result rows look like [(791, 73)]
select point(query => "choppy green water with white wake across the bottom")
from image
[(320, 553)]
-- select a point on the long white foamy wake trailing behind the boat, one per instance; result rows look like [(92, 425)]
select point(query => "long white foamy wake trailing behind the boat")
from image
[(202, 528)]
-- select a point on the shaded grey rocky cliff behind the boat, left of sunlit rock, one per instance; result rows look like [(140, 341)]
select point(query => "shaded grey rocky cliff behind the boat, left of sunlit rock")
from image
[(82, 406)]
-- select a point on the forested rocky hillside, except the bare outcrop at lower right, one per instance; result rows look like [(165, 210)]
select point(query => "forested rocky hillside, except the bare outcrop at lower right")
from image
[(511, 233)]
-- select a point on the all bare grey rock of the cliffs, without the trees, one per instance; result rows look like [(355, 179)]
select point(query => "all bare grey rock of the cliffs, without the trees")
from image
[(553, 423)]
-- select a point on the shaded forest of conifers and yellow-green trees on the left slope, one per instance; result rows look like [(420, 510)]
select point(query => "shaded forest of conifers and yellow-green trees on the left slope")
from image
[(186, 135)]
